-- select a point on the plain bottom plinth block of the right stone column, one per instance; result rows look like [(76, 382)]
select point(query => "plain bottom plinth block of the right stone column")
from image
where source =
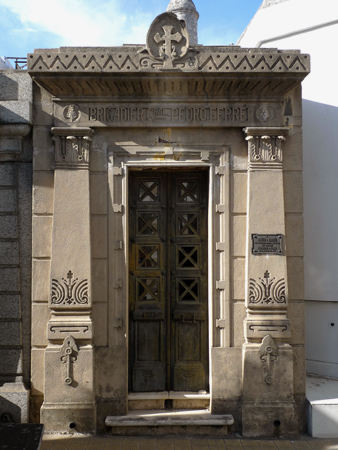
[(269, 419)]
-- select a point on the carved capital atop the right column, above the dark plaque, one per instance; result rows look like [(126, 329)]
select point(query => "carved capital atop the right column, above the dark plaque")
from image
[(265, 147)]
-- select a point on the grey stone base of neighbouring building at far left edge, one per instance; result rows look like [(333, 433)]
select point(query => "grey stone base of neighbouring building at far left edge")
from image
[(14, 403)]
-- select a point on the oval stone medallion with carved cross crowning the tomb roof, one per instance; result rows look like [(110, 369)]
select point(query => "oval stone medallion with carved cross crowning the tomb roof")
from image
[(167, 41)]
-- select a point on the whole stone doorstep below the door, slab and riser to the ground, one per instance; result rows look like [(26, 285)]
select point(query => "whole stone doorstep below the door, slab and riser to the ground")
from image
[(170, 422)]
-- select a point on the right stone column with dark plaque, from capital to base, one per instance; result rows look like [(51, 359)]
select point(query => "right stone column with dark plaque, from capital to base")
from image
[(268, 406)]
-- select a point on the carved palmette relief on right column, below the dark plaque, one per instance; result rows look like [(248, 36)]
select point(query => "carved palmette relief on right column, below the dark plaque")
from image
[(267, 291)]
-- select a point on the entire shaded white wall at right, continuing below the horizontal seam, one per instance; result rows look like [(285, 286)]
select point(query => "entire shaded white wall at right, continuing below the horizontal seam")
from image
[(320, 157)]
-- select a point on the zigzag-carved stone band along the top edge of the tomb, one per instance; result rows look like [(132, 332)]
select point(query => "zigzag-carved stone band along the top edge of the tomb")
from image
[(140, 59)]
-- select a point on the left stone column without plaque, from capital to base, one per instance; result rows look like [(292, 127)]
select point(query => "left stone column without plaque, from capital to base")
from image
[(69, 385)]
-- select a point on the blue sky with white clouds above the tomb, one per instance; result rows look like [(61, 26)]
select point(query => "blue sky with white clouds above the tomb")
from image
[(29, 24)]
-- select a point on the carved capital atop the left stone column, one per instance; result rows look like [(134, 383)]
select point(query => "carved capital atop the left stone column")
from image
[(72, 147)]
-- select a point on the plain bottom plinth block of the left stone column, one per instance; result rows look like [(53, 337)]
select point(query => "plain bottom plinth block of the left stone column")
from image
[(69, 417)]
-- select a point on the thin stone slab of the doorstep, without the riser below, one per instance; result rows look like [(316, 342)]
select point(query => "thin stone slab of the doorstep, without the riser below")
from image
[(159, 418)]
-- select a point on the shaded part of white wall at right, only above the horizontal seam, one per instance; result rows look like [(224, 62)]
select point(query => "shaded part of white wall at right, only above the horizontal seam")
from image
[(320, 157)]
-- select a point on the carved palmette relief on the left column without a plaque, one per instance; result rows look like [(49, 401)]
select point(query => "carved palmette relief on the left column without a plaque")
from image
[(69, 292)]
